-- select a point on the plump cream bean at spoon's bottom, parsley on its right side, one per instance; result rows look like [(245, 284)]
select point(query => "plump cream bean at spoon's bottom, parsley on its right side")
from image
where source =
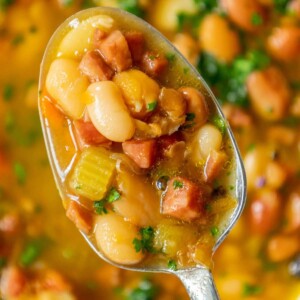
[(114, 237)]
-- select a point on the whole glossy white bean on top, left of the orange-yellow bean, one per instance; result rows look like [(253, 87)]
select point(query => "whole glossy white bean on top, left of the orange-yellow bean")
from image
[(108, 111)]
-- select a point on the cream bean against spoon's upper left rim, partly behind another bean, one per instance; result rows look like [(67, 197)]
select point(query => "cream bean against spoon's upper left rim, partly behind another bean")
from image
[(66, 86)]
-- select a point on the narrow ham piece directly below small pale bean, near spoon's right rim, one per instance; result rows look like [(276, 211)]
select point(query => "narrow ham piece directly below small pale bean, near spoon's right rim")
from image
[(214, 164)]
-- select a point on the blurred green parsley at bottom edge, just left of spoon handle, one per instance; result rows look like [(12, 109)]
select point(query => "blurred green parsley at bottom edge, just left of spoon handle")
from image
[(145, 291)]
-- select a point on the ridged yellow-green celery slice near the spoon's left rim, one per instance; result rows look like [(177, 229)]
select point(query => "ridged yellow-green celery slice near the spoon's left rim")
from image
[(93, 173)]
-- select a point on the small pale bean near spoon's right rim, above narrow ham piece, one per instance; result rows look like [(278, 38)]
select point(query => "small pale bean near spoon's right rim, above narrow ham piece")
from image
[(209, 138)]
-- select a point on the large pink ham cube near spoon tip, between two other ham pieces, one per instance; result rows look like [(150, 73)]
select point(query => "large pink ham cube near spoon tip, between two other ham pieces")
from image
[(115, 50)]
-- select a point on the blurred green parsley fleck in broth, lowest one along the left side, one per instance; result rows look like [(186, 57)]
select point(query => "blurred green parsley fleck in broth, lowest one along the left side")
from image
[(32, 250)]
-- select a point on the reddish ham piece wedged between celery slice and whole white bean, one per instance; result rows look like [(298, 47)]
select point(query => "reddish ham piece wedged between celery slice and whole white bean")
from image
[(87, 134)]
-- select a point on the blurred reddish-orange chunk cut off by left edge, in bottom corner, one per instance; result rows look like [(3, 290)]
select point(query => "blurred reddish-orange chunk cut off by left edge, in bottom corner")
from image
[(13, 282)]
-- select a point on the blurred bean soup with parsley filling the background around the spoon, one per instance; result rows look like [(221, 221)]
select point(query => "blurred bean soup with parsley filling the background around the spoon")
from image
[(248, 51)]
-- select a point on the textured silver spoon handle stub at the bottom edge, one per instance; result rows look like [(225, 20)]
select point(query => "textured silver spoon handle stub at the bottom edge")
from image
[(199, 283)]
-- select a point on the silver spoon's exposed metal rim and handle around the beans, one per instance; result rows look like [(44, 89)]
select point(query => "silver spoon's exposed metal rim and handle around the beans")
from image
[(198, 280)]
